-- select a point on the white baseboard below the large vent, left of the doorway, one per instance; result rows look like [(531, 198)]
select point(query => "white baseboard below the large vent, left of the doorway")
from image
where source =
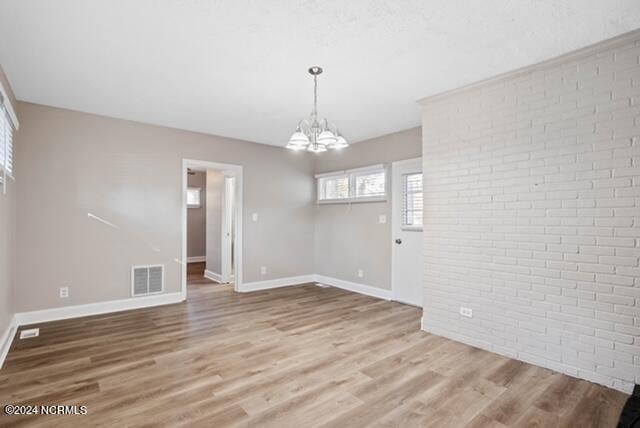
[(54, 314)]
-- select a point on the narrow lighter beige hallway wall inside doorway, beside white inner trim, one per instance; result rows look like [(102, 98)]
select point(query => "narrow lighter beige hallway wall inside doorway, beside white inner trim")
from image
[(215, 195)]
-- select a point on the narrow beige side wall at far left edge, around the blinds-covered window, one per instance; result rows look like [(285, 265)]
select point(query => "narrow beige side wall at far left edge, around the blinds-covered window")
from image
[(8, 239)]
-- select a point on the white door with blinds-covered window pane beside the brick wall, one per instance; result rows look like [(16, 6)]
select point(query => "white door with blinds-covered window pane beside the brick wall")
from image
[(406, 228)]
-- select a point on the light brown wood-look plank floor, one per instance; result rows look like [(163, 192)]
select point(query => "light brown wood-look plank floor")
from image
[(293, 357)]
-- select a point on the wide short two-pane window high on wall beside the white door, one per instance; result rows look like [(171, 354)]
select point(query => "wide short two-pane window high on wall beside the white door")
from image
[(355, 185)]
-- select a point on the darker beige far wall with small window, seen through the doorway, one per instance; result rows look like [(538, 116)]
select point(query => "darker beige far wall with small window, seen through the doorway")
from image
[(197, 217)]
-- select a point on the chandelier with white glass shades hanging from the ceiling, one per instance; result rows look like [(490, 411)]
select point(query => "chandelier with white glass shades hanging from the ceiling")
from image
[(313, 134)]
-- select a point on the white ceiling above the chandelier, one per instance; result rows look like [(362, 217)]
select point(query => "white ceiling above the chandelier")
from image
[(237, 68)]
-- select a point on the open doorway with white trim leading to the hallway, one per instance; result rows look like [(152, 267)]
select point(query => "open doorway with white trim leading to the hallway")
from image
[(211, 224)]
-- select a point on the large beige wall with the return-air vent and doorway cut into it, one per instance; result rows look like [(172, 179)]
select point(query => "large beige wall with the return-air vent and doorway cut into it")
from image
[(72, 164)]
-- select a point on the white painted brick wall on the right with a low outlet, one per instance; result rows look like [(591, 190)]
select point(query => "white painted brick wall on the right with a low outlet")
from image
[(532, 215)]
